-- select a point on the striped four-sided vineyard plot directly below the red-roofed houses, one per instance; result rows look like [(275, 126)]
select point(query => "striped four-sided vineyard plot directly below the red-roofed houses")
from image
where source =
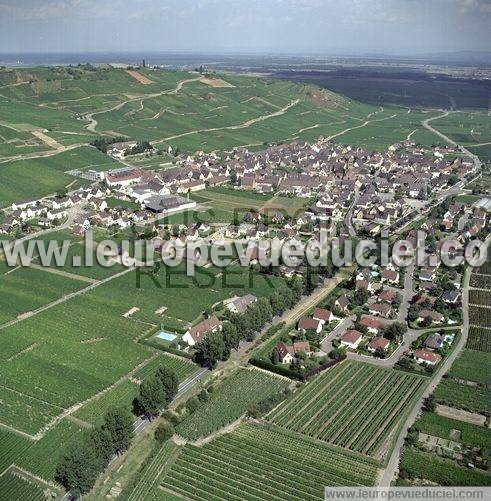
[(352, 405)]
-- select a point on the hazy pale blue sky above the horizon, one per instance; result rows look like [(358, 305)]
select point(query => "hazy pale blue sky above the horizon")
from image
[(329, 26)]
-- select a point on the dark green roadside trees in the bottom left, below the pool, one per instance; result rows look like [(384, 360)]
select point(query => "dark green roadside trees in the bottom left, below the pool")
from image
[(86, 457)]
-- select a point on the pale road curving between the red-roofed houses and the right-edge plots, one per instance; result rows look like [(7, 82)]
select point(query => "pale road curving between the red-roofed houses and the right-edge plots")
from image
[(392, 466)]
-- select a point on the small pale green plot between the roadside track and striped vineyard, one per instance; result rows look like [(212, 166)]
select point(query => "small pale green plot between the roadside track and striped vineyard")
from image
[(229, 401)]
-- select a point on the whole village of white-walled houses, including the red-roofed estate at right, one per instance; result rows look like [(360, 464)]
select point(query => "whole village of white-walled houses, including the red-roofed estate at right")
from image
[(376, 313)]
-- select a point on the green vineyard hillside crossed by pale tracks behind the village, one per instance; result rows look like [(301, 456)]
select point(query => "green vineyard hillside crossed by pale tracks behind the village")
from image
[(48, 116)]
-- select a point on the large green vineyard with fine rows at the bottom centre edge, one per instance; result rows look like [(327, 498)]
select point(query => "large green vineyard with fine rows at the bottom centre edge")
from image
[(255, 462)]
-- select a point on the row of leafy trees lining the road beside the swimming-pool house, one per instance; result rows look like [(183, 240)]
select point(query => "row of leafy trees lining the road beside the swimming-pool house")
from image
[(244, 327)]
